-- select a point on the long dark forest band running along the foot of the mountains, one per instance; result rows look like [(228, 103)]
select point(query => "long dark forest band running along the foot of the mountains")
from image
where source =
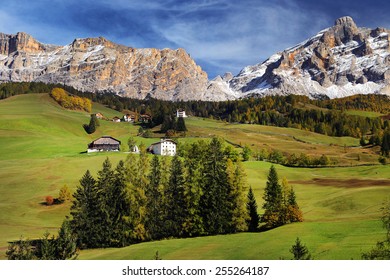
[(326, 116)]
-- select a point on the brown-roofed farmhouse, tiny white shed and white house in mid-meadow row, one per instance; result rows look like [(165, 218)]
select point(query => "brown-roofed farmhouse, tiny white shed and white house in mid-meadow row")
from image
[(165, 147)]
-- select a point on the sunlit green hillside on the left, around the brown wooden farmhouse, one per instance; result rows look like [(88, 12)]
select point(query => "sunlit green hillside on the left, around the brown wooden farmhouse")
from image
[(41, 147)]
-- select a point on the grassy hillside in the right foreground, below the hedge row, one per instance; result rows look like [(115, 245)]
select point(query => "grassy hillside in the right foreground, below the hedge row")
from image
[(341, 220)]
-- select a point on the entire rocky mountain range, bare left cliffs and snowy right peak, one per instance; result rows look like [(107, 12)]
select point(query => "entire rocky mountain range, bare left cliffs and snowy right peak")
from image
[(339, 61)]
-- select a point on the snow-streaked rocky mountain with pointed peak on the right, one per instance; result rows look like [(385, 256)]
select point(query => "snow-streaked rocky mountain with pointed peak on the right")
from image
[(339, 61)]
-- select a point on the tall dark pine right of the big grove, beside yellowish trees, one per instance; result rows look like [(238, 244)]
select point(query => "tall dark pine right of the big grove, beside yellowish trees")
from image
[(273, 201)]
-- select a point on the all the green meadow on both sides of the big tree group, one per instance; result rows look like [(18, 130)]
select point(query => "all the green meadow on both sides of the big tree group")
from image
[(42, 148)]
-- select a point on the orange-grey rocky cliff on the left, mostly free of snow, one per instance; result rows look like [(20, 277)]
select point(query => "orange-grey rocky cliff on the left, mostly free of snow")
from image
[(96, 64)]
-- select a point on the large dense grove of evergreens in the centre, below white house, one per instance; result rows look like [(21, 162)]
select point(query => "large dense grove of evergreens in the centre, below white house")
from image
[(202, 193)]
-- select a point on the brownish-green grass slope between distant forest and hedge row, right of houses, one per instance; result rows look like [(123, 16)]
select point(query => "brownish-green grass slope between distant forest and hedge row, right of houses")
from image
[(344, 151)]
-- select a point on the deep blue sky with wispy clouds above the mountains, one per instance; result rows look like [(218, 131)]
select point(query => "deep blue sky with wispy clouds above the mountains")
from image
[(220, 35)]
